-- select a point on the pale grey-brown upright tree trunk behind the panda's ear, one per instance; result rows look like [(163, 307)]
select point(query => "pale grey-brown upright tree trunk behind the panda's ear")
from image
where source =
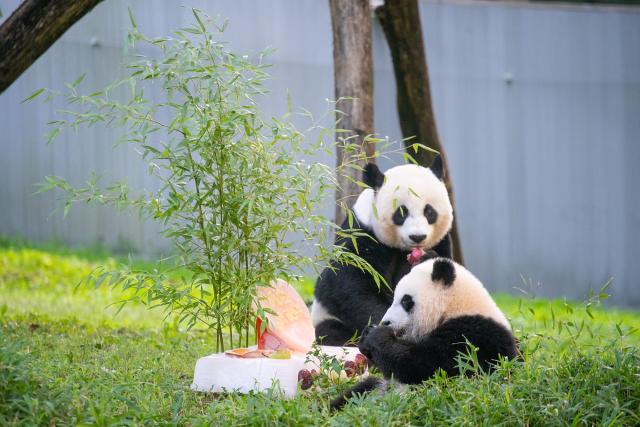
[(353, 77)]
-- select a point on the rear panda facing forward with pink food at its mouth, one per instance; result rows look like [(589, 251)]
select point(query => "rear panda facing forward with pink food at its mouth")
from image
[(407, 207)]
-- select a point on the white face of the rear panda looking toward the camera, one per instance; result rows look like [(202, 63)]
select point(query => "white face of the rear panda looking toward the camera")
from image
[(411, 208)]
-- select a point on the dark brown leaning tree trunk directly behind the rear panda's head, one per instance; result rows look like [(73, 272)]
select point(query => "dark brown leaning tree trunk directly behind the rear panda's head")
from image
[(400, 20)]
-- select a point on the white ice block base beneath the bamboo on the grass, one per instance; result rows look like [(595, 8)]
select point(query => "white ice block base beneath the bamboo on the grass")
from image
[(223, 373)]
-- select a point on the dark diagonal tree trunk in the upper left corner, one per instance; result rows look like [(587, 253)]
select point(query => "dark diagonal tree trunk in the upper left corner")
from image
[(31, 29)]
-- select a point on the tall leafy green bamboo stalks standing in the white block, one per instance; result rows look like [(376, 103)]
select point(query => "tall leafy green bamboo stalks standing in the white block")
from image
[(235, 189)]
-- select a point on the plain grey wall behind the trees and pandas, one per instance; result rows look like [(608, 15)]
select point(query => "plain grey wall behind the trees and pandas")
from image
[(537, 105)]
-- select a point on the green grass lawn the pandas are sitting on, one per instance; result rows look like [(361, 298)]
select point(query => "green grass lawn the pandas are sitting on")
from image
[(65, 359)]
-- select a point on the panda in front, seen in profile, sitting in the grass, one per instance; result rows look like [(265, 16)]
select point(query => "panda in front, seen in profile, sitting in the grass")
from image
[(436, 309)]
